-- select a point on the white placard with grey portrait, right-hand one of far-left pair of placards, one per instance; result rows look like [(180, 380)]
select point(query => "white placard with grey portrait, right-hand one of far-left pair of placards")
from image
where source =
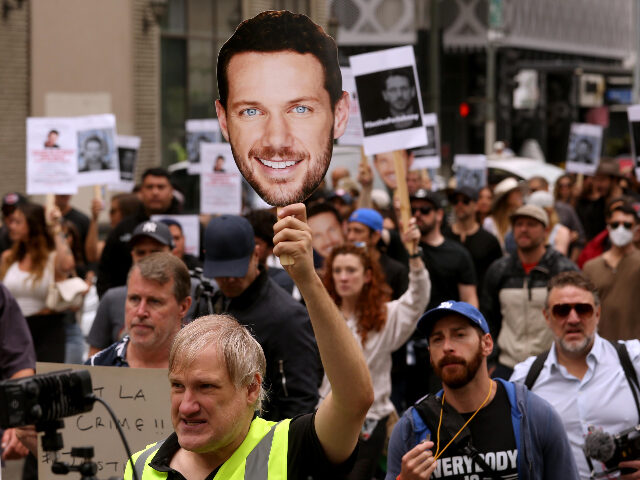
[(97, 151)]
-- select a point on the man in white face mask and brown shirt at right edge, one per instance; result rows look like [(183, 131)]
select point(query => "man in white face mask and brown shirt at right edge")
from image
[(616, 275)]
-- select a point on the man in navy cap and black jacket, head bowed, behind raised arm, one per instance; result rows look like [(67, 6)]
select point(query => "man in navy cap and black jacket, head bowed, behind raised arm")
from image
[(278, 322)]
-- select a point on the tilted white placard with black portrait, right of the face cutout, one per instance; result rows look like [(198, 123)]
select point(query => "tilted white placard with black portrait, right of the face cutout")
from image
[(389, 100)]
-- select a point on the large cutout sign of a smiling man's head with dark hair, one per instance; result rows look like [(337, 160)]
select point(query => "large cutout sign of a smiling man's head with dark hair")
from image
[(281, 104)]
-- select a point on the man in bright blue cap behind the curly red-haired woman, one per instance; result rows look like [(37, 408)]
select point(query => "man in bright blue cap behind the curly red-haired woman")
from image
[(365, 226)]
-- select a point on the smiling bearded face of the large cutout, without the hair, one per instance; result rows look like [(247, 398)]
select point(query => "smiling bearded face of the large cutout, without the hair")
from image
[(279, 122)]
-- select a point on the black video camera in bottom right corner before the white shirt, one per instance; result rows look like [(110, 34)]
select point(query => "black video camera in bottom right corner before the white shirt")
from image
[(612, 449)]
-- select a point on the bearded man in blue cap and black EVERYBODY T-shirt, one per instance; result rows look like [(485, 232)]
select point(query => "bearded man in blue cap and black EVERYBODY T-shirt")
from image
[(475, 424)]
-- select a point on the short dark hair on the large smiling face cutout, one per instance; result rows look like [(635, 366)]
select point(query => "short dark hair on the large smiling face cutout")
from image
[(277, 31)]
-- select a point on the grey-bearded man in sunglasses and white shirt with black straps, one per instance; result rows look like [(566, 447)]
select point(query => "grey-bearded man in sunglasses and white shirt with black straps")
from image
[(582, 375)]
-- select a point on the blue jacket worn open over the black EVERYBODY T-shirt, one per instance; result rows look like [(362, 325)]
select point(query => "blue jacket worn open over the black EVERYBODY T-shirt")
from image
[(543, 448)]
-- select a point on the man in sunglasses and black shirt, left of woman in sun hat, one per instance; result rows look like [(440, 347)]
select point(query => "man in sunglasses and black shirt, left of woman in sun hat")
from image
[(482, 245)]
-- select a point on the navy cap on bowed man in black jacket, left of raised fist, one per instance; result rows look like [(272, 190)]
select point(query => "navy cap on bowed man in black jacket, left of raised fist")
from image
[(229, 243)]
